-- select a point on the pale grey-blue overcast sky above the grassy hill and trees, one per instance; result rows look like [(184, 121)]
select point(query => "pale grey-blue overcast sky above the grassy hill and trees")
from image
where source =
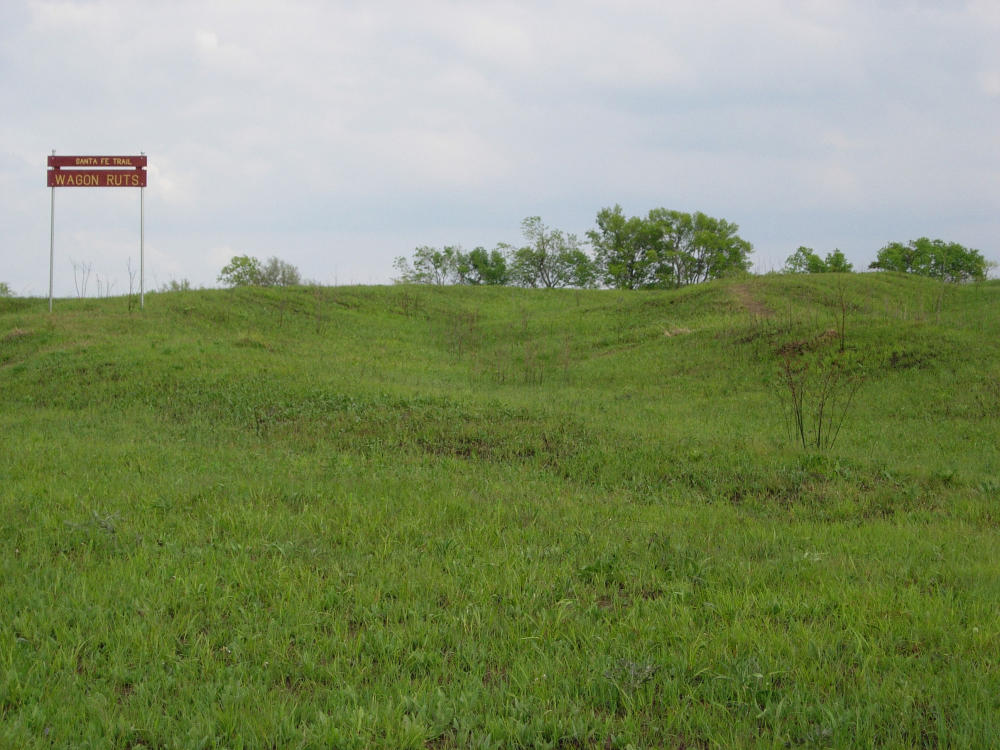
[(340, 135)]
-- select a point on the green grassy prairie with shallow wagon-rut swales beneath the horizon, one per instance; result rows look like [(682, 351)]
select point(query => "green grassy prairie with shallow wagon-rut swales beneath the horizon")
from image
[(426, 517)]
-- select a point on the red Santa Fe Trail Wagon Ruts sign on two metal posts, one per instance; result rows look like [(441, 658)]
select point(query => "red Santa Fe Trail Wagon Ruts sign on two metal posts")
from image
[(99, 171)]
